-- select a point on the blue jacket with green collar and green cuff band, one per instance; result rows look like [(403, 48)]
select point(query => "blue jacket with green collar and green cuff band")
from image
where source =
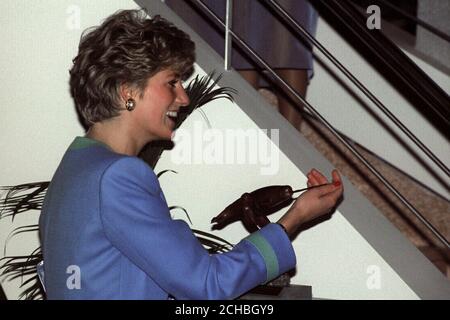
[(107, 233)]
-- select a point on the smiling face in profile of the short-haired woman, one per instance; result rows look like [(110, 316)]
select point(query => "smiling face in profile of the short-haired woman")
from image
[(162, 99)]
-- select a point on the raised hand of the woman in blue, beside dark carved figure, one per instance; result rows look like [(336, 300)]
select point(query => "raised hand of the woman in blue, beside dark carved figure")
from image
[(315, 202)]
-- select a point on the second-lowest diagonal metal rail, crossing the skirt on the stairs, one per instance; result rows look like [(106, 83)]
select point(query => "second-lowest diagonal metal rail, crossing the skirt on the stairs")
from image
[(276, 7)]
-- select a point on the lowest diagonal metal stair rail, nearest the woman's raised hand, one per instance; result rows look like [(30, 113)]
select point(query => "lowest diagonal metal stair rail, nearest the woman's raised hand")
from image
[(311, 109)]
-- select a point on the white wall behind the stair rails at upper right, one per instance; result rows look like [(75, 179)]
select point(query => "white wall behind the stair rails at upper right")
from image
[(346, 114)]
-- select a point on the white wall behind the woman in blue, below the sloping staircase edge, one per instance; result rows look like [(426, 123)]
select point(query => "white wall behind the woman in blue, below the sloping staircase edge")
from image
[(38, 123)]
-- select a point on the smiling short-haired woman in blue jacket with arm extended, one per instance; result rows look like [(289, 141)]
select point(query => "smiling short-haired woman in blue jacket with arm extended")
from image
[(105, 226)]
